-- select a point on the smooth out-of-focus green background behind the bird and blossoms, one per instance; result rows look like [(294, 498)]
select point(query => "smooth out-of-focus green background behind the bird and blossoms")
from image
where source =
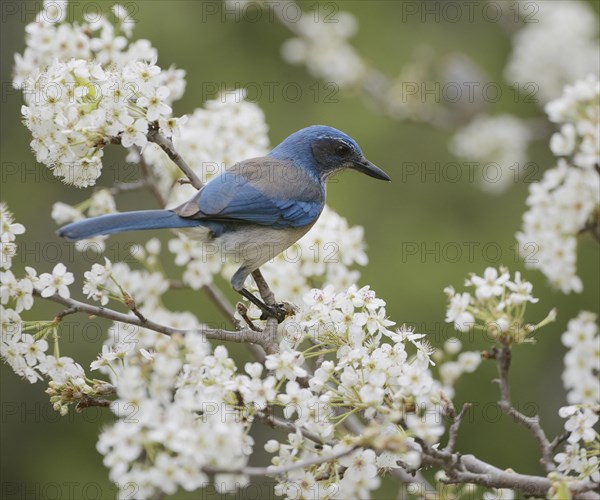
[(43, 454)]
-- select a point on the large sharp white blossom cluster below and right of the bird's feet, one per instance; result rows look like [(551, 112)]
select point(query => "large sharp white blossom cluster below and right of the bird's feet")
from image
[(366, 376)]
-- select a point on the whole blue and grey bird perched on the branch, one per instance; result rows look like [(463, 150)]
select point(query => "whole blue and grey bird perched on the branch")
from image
[(255, 209)]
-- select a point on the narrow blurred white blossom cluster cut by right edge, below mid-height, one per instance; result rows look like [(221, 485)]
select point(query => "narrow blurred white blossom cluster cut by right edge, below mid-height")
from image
[(582, 361)]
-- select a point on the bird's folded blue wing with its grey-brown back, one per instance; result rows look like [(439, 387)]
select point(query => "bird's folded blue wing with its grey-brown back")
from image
[(259, 191)]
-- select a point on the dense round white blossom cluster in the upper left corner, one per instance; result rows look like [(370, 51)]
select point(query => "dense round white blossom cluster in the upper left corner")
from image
[(84, 85)]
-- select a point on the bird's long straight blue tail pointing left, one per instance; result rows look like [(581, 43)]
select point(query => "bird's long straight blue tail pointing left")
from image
[(126, 221)]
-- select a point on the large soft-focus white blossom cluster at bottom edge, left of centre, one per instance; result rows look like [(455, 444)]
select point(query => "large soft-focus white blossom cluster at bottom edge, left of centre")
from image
[(173, 420)]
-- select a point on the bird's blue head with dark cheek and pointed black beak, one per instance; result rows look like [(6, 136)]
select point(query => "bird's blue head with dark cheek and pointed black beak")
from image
[(325, 150)]
